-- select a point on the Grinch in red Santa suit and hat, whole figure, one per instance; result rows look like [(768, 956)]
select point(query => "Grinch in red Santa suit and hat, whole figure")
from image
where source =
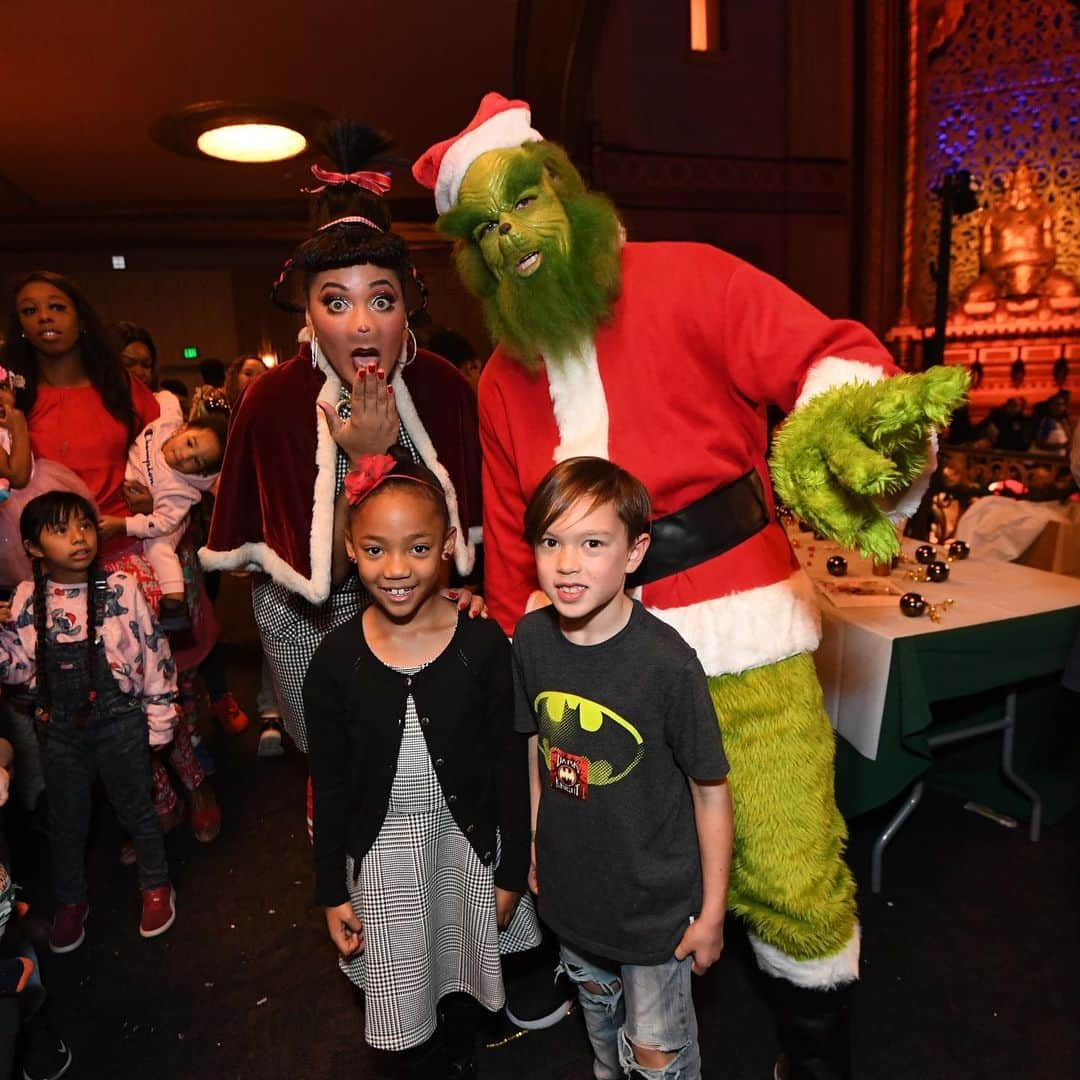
[(663, 357)]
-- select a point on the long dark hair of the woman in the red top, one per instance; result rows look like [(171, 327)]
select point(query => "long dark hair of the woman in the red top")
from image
[(100, 359)]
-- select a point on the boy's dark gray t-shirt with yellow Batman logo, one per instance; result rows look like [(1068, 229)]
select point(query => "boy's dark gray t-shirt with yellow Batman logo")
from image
[(622, 726)]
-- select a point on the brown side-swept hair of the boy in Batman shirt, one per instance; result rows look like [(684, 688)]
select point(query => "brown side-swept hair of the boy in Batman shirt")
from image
[(597, 481)]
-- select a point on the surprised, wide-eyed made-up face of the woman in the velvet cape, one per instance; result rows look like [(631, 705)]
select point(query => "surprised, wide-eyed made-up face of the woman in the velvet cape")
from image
[(358, 316)]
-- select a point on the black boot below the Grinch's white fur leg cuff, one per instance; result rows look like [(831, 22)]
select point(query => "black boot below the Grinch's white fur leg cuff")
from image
[(815, 1030)]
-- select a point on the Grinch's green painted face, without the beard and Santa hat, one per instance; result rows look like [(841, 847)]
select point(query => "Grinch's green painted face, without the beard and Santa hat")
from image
[(517, 219)]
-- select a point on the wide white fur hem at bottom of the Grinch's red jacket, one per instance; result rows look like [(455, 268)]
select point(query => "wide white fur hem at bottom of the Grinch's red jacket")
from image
[(751, 629)]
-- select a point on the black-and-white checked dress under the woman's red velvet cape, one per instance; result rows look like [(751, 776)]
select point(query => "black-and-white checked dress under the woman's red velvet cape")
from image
[(291, 628)]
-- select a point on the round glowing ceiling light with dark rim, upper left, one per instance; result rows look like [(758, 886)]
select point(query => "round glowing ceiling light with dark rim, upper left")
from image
[(247, 132)]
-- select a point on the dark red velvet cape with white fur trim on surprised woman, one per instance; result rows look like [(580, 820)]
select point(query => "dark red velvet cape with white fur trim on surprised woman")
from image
[(275, 507)]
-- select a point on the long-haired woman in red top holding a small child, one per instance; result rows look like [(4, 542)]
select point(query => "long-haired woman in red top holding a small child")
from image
[(85, 411)]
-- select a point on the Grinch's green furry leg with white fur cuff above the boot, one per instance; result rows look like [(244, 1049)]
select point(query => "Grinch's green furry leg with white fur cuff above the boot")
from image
[(789, 877)]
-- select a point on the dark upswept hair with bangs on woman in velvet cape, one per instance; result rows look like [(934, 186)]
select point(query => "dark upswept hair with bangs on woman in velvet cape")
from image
[(337, 244)]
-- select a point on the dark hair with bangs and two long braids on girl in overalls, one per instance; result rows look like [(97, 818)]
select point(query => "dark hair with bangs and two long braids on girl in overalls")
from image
[(55, 510)]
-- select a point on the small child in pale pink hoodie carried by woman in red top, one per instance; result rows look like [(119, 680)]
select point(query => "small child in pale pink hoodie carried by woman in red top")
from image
[(179, 463)]
